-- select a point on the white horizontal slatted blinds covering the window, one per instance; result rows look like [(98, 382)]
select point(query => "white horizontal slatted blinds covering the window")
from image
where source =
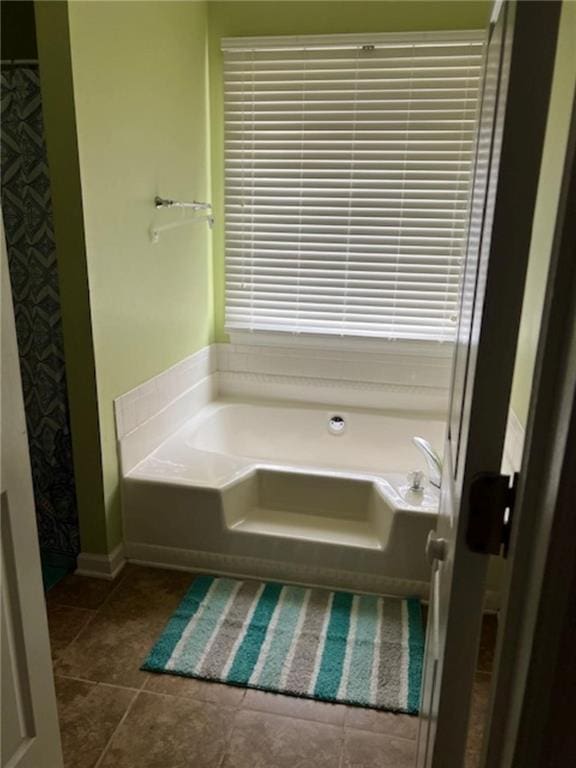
[(348, 170)]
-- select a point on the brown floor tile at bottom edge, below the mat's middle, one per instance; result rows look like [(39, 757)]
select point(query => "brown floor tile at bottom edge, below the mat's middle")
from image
[(262, 740)]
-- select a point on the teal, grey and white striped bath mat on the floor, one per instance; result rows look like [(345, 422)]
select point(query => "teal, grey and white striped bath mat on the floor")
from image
[(333, 646)]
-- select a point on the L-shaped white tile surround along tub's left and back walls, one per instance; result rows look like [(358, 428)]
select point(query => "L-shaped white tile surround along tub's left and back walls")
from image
[(411, 378)]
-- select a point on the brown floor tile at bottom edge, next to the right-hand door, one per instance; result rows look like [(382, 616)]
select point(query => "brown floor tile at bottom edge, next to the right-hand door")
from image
[(374, 750)]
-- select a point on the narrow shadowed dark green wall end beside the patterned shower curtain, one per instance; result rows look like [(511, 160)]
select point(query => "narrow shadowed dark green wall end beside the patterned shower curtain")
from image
[(60, 126)]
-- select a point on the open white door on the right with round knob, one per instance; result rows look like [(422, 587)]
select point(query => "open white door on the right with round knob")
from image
[(511, 131)]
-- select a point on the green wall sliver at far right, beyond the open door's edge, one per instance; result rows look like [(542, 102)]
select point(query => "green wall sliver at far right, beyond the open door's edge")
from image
[(563, 90)]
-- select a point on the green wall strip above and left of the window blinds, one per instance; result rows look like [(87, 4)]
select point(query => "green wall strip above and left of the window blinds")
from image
[(230, 19)]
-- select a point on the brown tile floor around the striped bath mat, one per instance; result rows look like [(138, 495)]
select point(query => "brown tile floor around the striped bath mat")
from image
[(112, 715)]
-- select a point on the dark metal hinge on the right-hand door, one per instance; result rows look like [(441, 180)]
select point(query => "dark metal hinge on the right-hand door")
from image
[(491, 507)]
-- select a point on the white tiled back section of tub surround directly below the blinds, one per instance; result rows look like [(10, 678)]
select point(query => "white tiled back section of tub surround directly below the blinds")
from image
[(387, 375)]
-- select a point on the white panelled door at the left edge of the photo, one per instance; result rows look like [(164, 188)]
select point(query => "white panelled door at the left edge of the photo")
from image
[(29, 737)]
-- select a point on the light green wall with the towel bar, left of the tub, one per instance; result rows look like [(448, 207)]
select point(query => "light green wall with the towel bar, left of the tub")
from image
[(140, 85)]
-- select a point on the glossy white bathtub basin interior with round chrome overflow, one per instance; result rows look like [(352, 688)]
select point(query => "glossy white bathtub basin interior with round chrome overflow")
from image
[(227, 434)]
